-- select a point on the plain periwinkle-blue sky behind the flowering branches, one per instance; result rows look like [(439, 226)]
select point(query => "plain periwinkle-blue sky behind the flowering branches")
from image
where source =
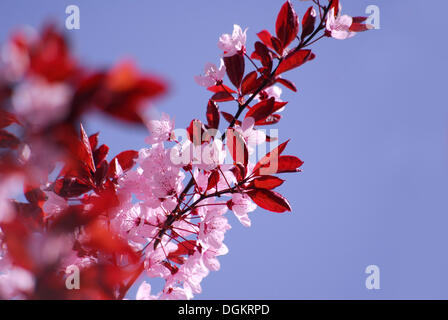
[(369, 120)]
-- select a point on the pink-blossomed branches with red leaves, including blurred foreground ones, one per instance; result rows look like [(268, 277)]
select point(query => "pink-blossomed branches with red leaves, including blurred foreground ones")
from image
[(160, 211)]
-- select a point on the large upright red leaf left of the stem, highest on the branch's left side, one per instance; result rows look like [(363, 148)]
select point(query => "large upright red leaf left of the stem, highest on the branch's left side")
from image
[(287, 25)]
